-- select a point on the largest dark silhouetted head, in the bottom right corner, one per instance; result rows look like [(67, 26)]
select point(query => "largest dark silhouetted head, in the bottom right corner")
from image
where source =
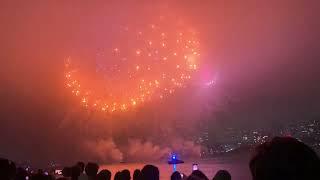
[(284, 158)]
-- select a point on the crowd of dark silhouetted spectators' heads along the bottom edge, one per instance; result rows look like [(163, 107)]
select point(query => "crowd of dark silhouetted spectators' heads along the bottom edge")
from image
[(282, 158)]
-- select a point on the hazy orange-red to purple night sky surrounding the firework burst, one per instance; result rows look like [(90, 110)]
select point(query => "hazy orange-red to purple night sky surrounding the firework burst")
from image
[(265, 56)]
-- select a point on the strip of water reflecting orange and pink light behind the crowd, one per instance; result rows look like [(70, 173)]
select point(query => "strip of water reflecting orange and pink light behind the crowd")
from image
[(238, 169)]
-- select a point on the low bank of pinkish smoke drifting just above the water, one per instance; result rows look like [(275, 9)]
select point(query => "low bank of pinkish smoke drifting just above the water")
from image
[(105, 150)]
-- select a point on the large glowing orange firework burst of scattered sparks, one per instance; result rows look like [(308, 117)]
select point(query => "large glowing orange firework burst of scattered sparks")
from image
[(149, 64)]
